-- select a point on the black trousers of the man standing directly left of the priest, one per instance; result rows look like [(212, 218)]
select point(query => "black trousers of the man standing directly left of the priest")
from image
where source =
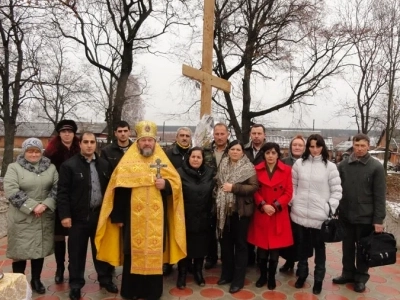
[(79, 235)]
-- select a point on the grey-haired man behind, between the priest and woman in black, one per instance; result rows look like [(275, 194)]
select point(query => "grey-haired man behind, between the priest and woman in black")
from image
[(177, 155)]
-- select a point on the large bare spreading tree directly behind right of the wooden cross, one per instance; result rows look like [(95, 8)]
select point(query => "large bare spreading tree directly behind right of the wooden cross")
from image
[(267, 40)]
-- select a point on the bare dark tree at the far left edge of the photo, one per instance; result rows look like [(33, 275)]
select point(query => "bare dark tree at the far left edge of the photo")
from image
[(17, 67)]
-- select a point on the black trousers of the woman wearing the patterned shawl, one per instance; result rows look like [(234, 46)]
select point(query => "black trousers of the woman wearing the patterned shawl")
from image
[(234, 249)]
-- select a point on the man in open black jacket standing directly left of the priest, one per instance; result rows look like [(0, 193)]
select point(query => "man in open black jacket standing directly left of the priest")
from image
[(82, 182)]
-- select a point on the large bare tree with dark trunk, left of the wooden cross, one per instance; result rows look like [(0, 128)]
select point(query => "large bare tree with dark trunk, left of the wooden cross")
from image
[(134, 23)]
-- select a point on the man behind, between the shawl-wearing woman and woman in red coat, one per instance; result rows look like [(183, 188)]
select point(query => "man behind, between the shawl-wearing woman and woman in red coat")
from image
[(252, 151)]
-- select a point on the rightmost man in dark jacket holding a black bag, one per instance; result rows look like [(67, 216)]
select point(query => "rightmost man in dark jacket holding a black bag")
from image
[(362, 208)]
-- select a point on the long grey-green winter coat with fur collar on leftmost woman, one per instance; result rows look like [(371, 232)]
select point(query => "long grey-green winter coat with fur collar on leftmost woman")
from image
[(30, 237)]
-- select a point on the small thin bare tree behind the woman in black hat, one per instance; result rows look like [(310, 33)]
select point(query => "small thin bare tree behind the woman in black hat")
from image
[(61, 88)]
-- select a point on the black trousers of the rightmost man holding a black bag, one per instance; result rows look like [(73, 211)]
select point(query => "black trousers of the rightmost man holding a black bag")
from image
[(359, 270)]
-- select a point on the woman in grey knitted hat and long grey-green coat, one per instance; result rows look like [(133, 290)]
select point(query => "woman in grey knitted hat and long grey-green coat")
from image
[(30, 185)]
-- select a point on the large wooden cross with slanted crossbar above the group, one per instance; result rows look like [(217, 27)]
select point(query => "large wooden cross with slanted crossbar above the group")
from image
[(204, 75)]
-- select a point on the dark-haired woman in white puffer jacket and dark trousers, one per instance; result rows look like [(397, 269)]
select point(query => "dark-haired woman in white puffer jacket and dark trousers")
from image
[(316, 186)]
